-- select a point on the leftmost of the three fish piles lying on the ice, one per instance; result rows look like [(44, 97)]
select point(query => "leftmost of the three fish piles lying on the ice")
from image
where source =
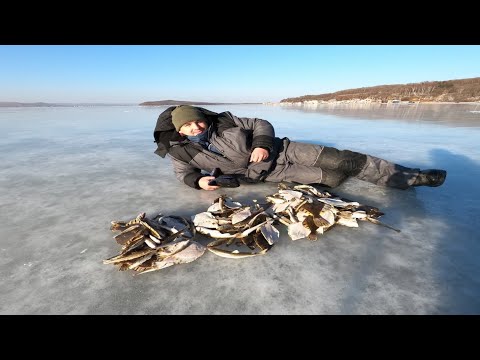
[(149, 245)]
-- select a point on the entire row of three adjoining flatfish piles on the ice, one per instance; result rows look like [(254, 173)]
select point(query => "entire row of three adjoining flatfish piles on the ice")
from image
[(154, 244)]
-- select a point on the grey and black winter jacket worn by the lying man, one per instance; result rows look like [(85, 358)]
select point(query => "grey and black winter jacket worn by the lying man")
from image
[(235, 137)]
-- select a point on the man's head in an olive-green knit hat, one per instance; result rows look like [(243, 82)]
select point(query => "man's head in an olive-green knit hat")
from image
[(189, 120)]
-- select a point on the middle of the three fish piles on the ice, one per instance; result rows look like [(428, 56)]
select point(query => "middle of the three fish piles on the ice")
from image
[(230, 223)]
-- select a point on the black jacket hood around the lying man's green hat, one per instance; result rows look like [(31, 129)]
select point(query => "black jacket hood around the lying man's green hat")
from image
[(165, 133)]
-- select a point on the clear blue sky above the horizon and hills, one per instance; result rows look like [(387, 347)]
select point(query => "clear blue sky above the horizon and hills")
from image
[(231, 73)]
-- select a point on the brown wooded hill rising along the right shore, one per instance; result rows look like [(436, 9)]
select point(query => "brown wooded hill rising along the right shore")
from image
[(461, 90)]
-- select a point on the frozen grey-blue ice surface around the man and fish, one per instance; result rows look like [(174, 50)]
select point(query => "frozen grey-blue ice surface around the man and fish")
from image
[(67, 172)]
